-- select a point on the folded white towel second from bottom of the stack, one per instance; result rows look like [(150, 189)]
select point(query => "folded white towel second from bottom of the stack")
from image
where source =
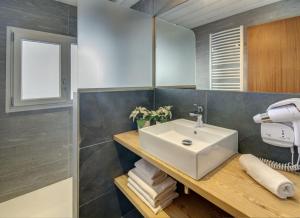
[(166, 196)]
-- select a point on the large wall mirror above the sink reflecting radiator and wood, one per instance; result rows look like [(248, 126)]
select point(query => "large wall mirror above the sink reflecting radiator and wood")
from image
[(251, 45)]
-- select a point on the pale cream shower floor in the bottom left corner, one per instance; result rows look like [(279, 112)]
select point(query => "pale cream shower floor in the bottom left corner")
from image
[(53, 201)]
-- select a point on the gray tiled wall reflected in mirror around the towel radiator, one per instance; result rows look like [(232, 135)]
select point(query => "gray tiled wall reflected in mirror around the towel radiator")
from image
[(269, 13)]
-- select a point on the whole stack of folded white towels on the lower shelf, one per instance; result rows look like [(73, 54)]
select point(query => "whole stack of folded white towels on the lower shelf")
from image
[(155, 188)]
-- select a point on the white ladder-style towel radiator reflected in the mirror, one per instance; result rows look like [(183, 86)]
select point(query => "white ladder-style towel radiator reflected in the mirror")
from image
[(226, 59)]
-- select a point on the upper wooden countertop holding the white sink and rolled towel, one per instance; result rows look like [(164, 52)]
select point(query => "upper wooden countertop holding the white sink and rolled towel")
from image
[(227, 187)]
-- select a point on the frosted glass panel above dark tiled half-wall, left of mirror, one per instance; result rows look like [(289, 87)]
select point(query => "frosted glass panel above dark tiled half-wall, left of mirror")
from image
[(114, 46)]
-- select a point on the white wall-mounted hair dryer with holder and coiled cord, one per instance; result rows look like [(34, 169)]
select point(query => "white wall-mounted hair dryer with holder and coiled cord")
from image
[(276, 129)]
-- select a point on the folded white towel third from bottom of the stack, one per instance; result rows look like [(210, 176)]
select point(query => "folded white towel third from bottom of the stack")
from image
[(153, 191)]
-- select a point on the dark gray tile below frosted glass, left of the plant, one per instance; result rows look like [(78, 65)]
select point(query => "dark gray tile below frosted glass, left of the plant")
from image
[(104, 114)]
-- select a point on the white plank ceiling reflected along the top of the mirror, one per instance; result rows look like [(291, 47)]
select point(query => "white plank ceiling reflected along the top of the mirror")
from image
[(194, 13)]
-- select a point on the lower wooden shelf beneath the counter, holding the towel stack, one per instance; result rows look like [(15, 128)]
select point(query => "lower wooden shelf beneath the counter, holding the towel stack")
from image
[(185, 206)]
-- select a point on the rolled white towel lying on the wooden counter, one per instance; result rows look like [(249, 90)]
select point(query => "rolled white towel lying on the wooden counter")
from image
[(267, 177)]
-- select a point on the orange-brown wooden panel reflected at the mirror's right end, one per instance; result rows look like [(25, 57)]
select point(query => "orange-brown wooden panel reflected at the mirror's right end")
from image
[(274, 56)]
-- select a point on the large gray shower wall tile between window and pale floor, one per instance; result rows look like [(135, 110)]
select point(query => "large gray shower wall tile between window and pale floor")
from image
[(31, 142)]
